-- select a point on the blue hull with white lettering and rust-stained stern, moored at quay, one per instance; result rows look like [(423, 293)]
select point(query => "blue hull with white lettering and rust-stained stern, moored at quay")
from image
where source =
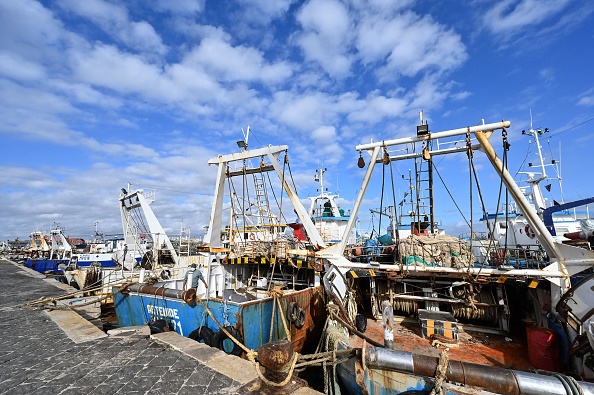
[(252, 319)]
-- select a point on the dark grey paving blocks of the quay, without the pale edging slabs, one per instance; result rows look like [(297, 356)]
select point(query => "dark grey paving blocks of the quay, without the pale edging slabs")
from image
[(37, 357)]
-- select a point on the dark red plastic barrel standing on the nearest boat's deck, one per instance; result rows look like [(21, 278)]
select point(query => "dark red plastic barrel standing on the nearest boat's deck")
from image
[(543, 349)]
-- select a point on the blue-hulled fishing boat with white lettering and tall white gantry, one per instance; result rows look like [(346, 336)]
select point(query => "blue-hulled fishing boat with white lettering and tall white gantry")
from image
[(261, 281)]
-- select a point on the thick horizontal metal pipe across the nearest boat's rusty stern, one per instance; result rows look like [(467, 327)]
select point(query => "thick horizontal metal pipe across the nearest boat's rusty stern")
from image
[(490, 378)]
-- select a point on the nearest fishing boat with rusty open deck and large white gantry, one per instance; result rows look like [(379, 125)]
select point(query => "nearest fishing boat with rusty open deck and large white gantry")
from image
[(435, 319)]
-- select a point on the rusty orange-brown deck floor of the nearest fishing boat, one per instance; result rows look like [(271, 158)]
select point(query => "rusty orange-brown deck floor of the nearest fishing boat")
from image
[(472, 346)]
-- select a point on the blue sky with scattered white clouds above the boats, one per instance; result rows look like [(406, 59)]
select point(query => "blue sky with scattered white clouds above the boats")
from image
[(99, 95)]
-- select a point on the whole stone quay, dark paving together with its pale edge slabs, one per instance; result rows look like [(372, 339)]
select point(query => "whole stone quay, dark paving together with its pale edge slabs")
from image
[(59, 352)]
